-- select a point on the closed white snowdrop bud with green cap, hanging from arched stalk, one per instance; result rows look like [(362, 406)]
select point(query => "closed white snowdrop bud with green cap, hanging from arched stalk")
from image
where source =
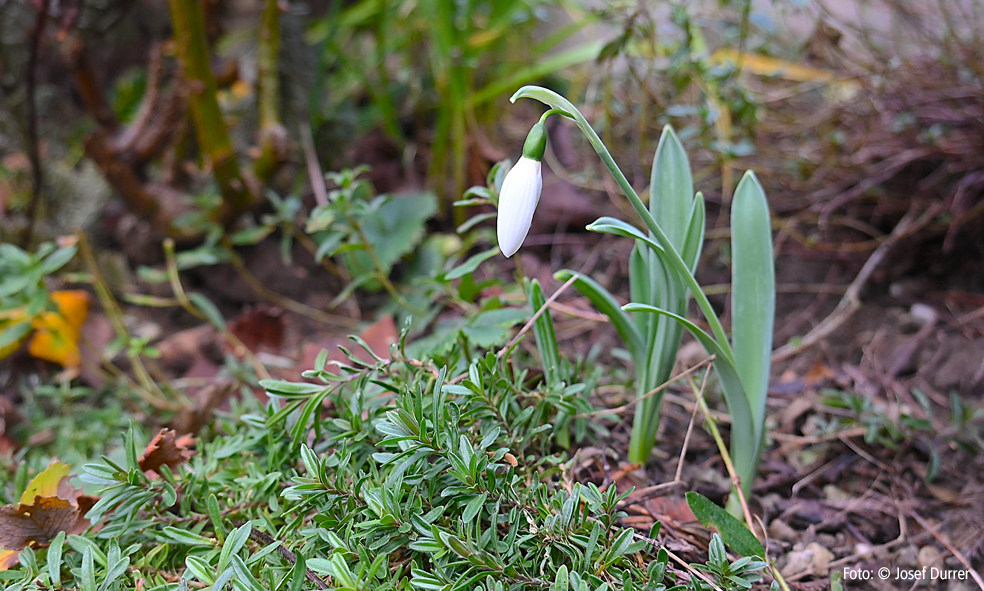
[(520, 193)]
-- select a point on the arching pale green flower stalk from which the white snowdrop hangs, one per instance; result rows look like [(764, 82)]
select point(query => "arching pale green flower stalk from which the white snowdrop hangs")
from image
[(672, 256)]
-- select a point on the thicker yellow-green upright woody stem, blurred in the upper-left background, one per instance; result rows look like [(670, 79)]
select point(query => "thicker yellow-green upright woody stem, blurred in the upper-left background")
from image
[(188, 18)]
